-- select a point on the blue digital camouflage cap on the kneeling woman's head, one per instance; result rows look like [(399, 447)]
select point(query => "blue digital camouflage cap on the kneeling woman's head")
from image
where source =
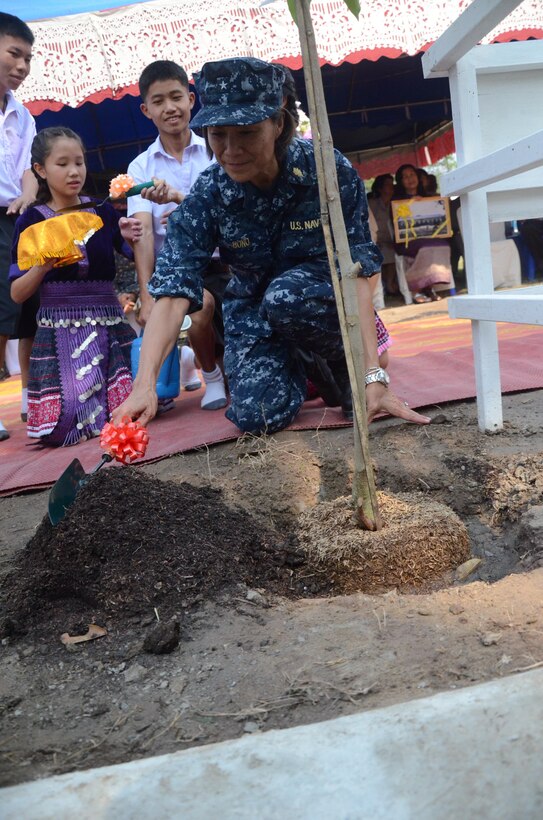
[(238, 91)]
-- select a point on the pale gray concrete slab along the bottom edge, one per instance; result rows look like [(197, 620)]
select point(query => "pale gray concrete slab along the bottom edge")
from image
[(472, 753)]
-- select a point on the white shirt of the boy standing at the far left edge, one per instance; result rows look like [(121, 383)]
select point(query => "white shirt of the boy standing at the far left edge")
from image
[(17, 130)]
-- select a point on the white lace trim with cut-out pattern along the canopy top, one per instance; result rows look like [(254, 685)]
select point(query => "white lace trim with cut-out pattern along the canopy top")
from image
[(78, 56)]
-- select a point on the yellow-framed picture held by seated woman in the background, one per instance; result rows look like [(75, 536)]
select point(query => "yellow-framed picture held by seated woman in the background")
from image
[(421, 218)]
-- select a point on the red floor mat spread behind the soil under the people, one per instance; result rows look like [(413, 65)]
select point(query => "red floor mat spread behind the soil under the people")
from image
[(431, 363)]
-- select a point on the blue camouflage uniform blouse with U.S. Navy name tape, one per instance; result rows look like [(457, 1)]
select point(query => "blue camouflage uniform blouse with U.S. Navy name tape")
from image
[(259, 235)]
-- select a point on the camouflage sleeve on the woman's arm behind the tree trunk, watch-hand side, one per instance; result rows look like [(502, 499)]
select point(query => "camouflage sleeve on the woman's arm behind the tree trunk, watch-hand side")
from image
[(355, 214)]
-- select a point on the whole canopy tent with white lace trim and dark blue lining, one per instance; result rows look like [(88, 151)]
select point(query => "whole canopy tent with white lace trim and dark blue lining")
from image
[(376, 95)]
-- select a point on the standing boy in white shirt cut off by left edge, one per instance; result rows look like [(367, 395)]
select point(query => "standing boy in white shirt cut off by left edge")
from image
[(17, 189)]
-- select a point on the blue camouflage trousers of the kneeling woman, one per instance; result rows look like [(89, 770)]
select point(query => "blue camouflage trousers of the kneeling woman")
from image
[(267, 382)]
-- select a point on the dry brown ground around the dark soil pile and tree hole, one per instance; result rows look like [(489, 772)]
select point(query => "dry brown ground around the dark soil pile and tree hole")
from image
[(251, 659)]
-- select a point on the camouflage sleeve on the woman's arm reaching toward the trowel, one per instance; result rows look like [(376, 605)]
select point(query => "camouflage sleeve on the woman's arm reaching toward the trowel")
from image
[(191, 238)]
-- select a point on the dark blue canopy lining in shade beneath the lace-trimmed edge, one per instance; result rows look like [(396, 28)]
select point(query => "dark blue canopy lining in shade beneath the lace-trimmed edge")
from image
[(371, 106)]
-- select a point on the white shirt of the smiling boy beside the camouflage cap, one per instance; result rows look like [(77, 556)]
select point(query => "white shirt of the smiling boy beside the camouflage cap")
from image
[(155, 162)]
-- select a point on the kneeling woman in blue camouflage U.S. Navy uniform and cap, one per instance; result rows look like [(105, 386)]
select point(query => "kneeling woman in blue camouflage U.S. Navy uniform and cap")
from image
[(260, 205)]
